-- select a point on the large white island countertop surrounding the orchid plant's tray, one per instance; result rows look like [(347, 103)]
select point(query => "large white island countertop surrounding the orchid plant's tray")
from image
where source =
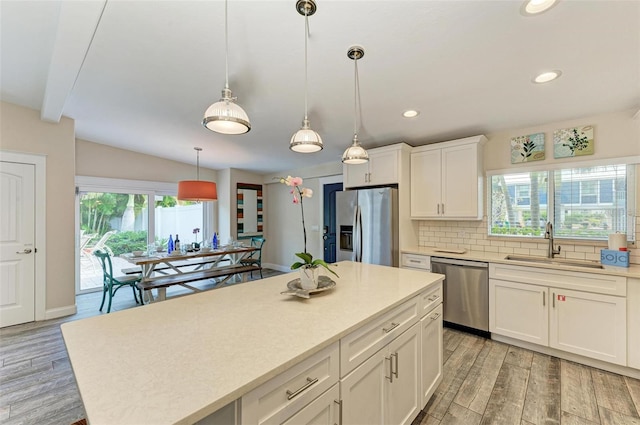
[(177, 361)]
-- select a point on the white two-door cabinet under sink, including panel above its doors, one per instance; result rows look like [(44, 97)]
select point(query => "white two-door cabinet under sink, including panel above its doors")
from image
[(575, 312)]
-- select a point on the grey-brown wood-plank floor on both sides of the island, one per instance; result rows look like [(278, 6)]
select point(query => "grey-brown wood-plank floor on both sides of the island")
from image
[(484, 382)]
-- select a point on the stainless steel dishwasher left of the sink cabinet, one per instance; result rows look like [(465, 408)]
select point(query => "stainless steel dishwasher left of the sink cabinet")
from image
[(466, 293)]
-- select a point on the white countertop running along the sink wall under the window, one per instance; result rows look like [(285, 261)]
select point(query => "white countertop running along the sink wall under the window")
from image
[(494, 257)]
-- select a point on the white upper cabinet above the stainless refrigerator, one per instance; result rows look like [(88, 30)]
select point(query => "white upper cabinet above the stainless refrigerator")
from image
[(384, 167)]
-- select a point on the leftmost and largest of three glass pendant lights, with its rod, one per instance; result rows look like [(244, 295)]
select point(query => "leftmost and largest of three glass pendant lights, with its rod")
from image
[(226, 116)]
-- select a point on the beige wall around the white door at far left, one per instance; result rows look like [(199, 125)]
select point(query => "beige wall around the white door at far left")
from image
[(21, 130)]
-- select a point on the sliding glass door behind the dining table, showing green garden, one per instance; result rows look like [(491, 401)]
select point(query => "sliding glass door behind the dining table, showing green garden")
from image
[(118, 217)]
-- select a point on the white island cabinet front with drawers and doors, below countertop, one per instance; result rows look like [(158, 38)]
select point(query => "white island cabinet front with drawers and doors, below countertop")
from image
[(391, 368)]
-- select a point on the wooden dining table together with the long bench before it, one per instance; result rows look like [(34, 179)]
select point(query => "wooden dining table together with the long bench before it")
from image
[(161, 270)]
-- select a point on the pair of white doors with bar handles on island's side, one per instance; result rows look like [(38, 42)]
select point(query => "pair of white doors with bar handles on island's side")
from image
[(385, 388)]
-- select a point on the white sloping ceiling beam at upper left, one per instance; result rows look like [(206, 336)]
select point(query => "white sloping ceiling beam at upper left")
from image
[(77, 25)]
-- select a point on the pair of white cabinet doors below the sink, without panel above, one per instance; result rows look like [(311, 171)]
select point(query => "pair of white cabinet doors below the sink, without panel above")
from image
[(584, 323)]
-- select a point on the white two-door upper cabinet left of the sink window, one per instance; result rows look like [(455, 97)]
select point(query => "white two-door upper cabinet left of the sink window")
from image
[(446, 180)]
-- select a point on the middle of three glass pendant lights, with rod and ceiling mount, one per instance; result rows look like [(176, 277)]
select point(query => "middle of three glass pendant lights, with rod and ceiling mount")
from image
[(306, 140)]
